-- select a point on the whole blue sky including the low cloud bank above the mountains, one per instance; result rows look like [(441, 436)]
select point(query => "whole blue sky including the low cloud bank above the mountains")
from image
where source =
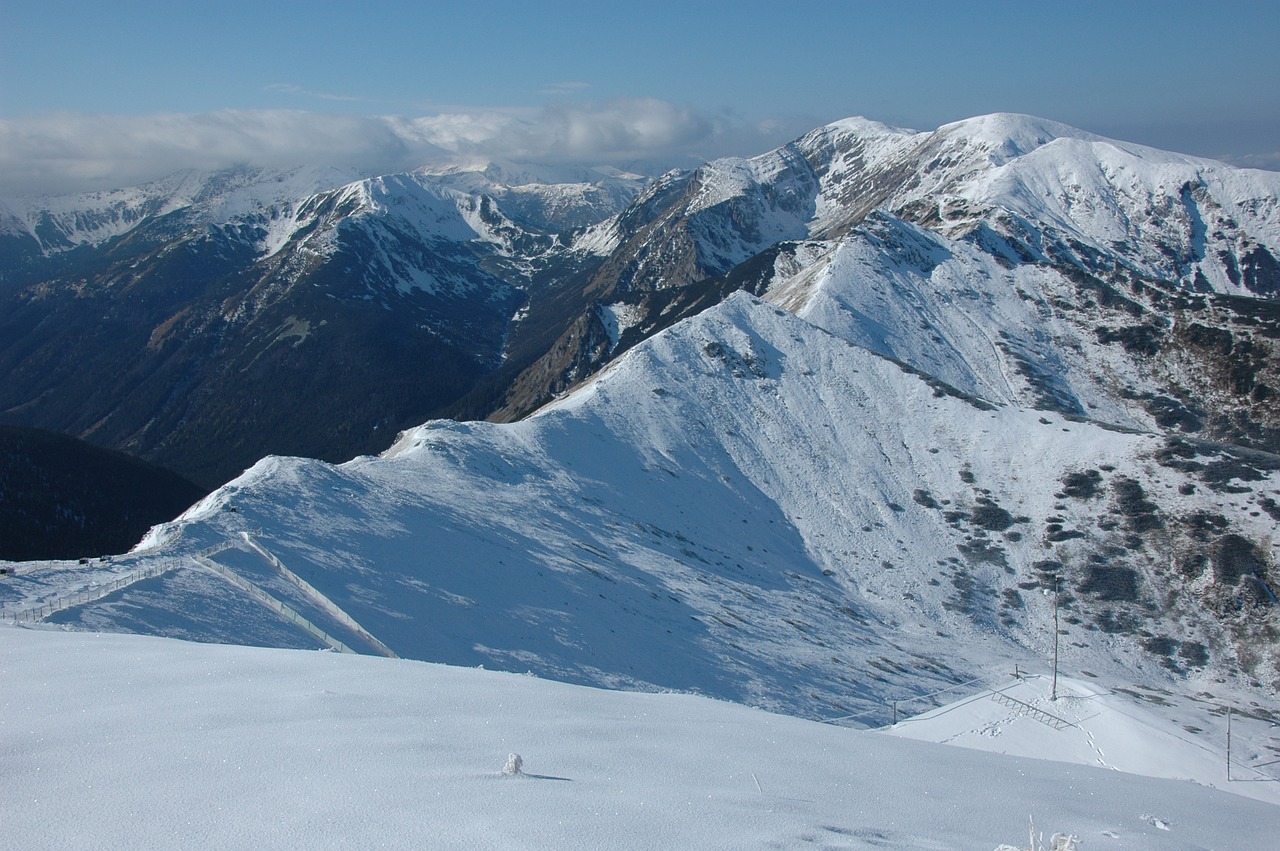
[(126, 85)]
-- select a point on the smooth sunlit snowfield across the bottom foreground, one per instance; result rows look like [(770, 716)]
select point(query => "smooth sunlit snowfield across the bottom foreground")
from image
[(113, 742)]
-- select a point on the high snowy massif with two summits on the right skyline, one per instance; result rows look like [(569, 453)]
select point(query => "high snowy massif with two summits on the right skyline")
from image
[(1169, 216)]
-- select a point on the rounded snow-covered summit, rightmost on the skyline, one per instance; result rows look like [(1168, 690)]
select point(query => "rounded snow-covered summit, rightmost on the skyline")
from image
[(1168, 216)]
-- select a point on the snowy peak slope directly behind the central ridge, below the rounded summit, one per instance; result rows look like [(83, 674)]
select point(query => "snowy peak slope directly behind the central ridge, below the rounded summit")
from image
[(957, 313)]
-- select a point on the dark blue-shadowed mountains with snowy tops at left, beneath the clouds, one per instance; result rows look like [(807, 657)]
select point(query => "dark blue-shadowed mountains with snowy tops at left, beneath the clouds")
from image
[(207, 321)]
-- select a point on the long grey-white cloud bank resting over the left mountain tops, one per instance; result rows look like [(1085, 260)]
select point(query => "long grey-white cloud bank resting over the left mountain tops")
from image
[(75, 152)]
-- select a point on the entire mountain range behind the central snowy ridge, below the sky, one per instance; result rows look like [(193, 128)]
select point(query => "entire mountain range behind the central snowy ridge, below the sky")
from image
[(207, 321)]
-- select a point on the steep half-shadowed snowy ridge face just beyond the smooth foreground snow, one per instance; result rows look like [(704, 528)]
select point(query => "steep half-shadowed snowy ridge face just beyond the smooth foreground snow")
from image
[(748, 507)]
